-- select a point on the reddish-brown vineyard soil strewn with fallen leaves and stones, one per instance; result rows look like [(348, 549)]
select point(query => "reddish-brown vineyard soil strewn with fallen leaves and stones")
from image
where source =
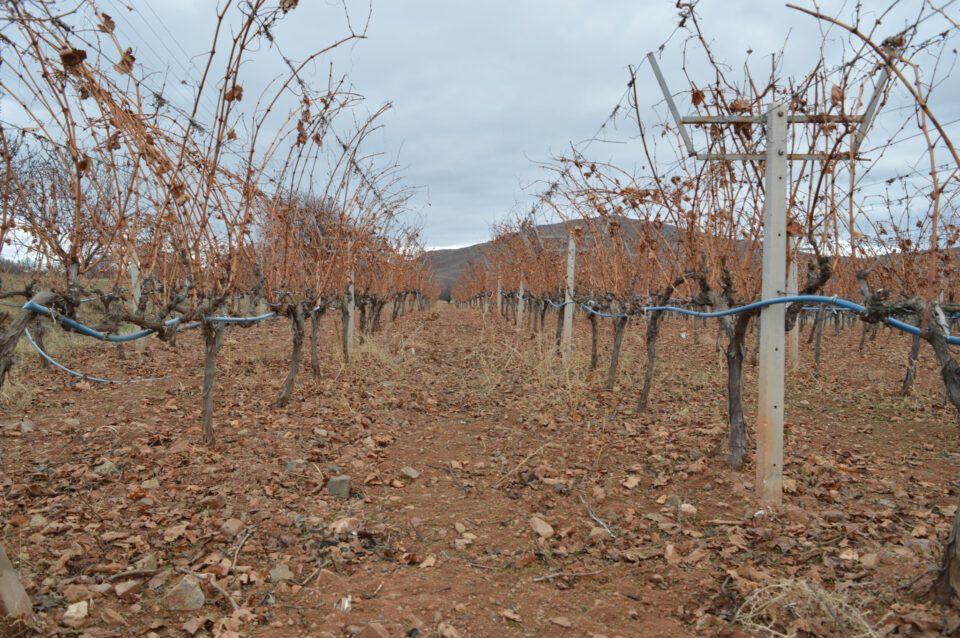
[(499, 433)]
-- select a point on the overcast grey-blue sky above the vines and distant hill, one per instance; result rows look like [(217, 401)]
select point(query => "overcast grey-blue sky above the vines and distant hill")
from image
[(483, 90)]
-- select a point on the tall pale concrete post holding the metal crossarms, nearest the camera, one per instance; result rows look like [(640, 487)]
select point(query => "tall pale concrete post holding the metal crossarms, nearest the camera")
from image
[(771, 372)]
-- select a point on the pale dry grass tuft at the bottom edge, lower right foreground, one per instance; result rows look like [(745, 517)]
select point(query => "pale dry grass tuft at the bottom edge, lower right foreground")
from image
[(796, 607)]
